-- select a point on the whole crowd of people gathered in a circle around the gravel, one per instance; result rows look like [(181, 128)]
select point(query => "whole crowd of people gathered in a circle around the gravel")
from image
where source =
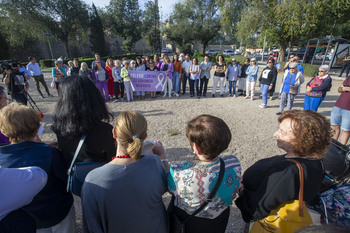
[(125, 194)]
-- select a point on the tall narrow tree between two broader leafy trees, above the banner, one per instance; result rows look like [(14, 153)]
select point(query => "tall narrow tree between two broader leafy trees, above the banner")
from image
[(151, 31)]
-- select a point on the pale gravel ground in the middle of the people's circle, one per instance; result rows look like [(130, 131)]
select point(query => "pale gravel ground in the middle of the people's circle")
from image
[(252, 127)]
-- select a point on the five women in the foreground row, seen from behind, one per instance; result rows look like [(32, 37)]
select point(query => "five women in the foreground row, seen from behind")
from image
[(125, 194)]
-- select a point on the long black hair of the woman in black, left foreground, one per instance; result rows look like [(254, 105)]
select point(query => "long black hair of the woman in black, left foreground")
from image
[(80, 105)]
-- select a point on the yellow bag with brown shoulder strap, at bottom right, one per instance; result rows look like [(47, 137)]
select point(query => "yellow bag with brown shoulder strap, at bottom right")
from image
[(289, 216)]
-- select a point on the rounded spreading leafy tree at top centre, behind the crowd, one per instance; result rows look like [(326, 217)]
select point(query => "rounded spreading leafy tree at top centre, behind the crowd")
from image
[(194, 19)]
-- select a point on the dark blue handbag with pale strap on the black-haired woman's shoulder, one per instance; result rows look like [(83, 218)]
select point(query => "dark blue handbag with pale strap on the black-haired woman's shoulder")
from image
[(78, 171)]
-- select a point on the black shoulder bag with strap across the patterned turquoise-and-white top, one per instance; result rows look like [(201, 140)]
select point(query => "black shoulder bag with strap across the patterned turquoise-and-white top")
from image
[(176, 225)]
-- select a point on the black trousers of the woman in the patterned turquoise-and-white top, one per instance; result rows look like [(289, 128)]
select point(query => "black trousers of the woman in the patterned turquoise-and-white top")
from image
[(201, 225)]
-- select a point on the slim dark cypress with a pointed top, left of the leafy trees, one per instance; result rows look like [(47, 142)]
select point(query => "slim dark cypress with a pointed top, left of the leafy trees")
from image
[(97, 38)]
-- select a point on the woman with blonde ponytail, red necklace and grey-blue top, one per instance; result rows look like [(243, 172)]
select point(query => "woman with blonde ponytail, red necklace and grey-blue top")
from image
[(125, 195)]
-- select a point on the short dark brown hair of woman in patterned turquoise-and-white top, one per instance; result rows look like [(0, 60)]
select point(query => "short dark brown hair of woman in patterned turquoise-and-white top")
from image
[(211, 134)]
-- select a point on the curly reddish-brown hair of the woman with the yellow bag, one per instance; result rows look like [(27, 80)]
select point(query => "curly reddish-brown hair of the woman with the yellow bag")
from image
[(312, 130)]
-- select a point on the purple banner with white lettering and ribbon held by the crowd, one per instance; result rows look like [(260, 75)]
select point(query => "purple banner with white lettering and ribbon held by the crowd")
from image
[(147, 80)]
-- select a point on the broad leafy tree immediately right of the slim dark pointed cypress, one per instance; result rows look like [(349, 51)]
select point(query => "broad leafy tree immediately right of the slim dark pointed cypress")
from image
[(125, 18)]
